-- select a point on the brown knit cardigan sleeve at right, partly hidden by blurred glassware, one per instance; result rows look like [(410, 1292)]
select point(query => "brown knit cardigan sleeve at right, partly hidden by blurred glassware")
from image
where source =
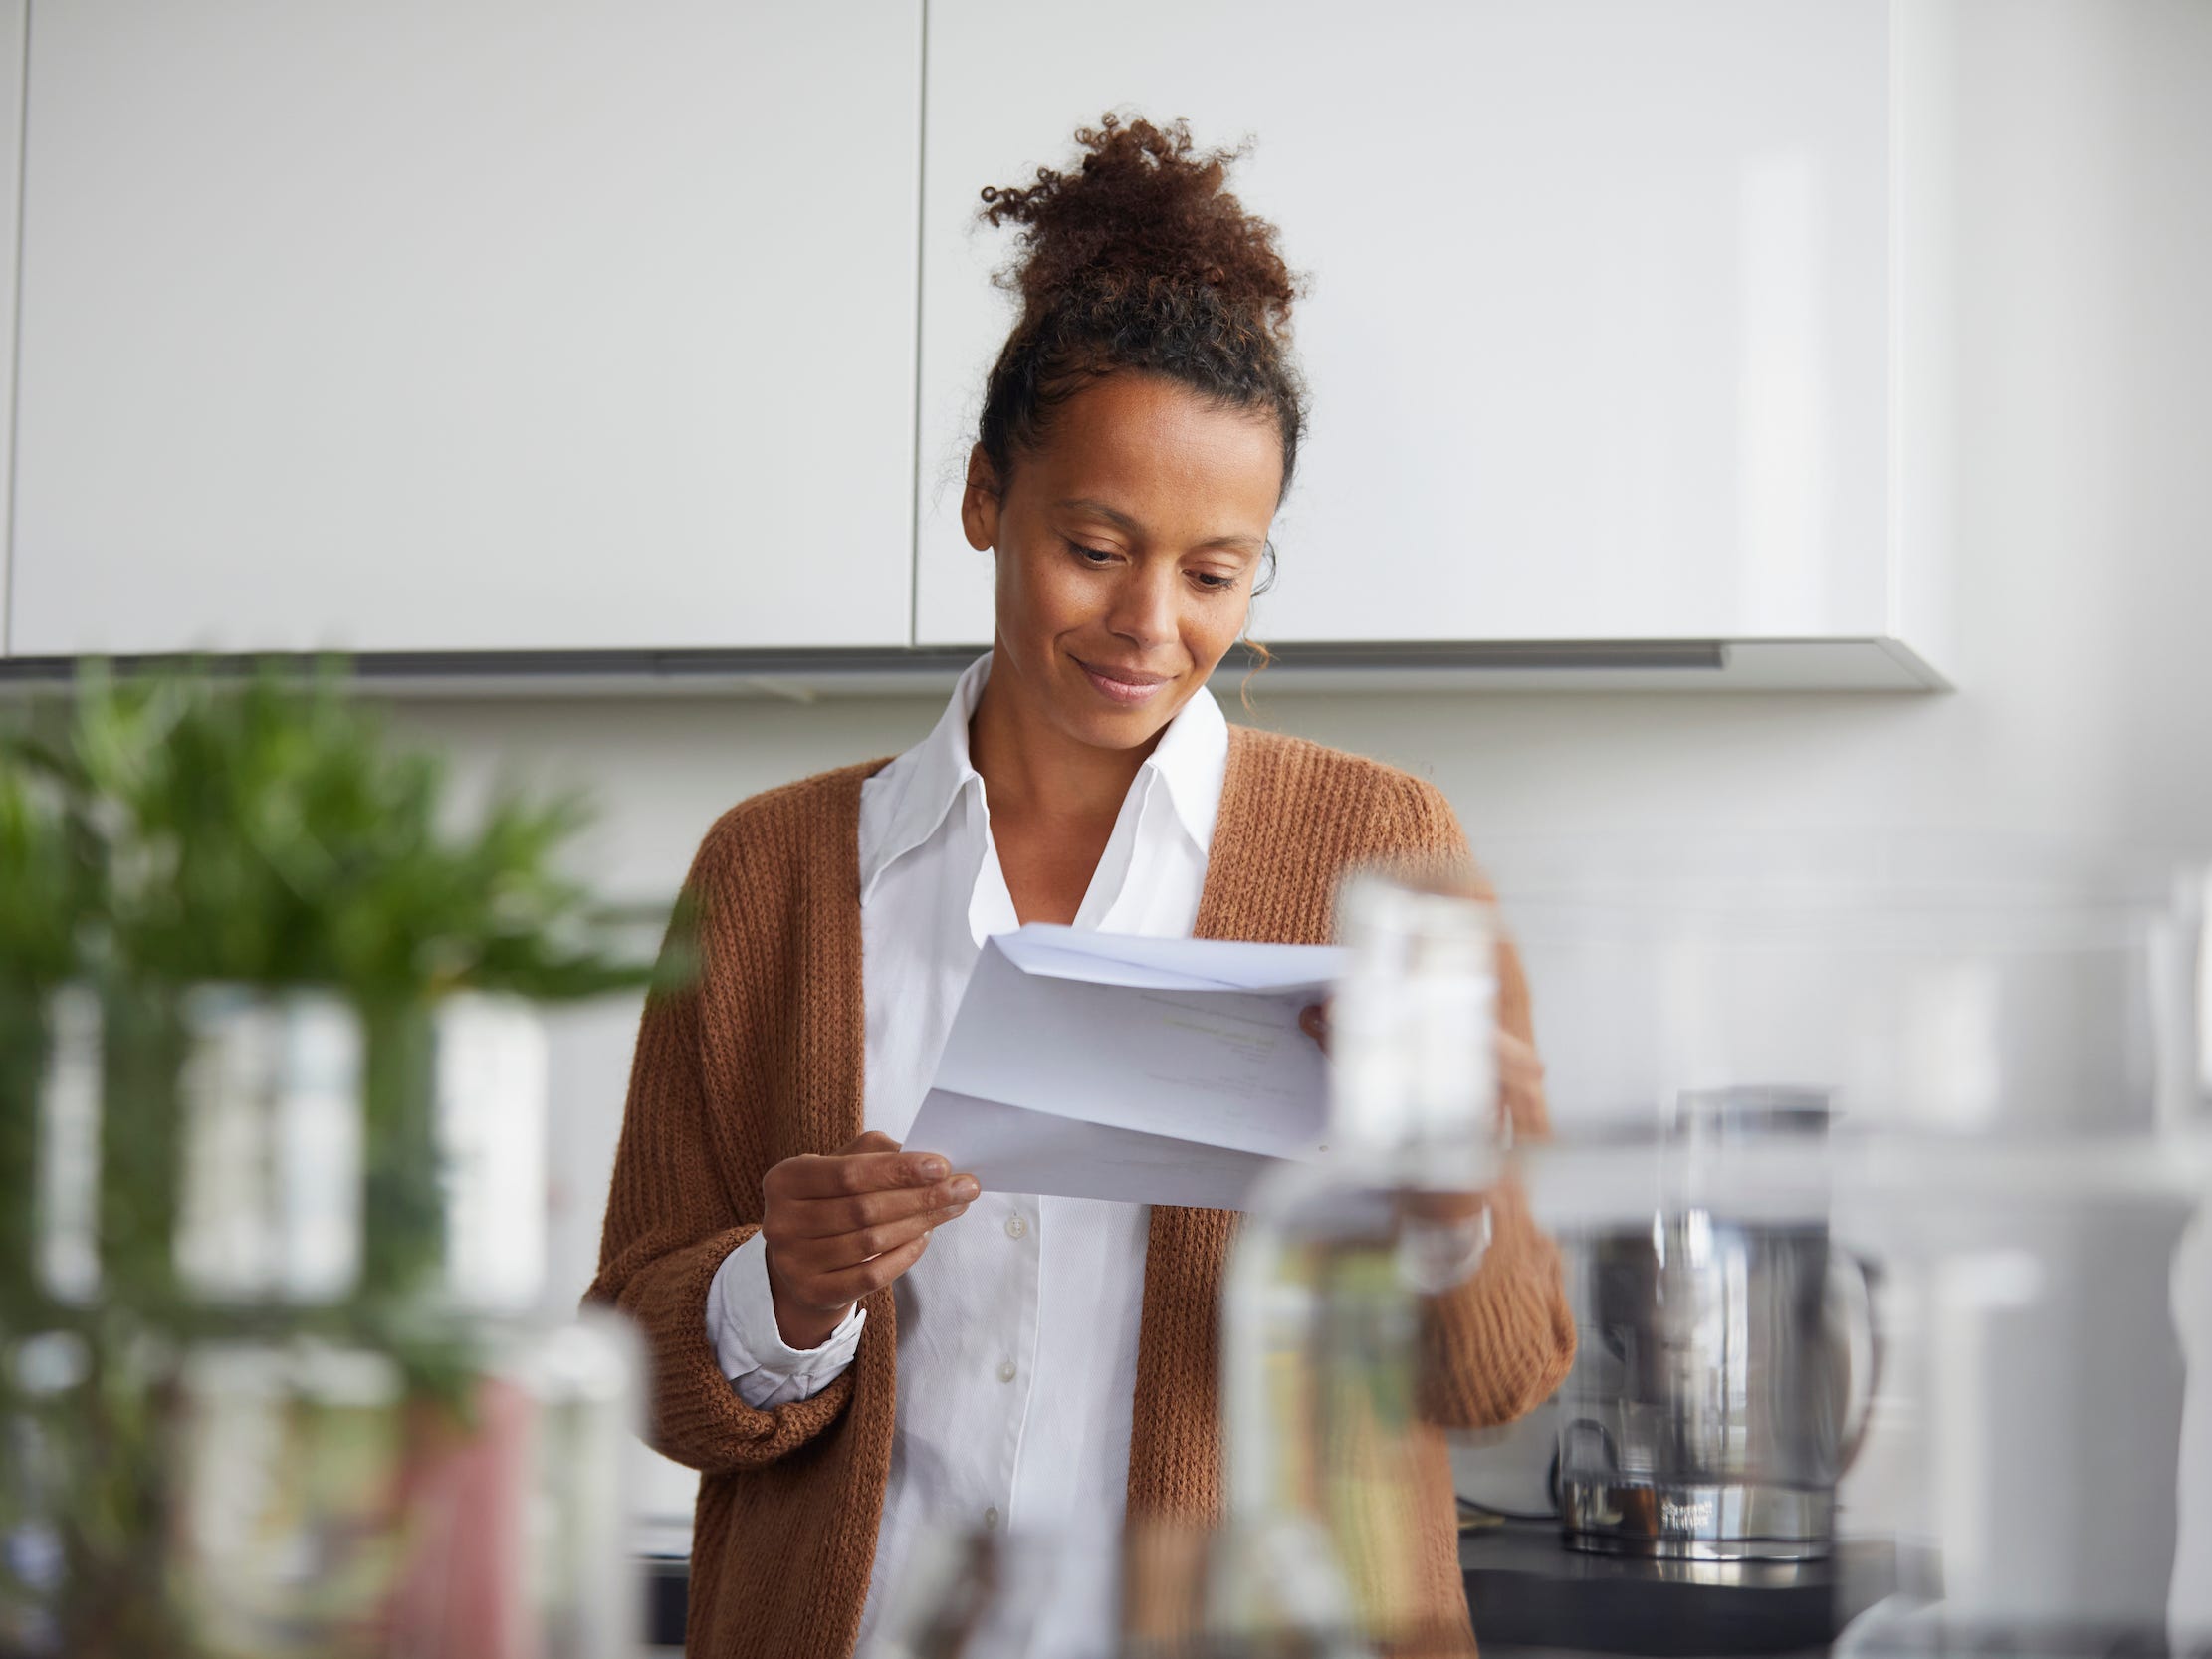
[(1496, 1346)]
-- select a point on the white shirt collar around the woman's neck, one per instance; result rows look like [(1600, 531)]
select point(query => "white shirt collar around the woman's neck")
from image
[(1189, 760)]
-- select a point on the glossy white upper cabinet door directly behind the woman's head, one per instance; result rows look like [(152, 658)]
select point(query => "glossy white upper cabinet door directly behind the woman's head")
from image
[(1598, 311)]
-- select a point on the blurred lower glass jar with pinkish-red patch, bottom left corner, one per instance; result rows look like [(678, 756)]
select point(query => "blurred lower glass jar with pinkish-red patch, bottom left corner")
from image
[(333, 1505)]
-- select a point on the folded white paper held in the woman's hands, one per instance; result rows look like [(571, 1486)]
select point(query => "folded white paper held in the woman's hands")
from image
[(1138, 1070)]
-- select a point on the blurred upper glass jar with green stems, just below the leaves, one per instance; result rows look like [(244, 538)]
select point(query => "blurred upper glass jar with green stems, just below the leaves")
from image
[(236, 1147)]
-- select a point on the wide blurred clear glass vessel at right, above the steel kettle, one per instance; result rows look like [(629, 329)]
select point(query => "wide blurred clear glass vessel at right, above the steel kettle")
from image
[(1943, 985)]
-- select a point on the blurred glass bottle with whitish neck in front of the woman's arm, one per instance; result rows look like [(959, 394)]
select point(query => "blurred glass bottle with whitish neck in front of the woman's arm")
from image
[(1337, 1488)]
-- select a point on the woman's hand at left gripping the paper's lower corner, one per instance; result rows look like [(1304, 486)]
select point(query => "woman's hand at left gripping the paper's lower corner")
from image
[(848, 1224)]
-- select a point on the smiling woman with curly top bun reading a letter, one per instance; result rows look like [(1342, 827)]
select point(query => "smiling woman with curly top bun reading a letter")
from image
[(851, 1339)]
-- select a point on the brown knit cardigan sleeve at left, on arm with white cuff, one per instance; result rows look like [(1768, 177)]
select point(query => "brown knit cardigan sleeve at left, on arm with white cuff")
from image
[(674, 1218)]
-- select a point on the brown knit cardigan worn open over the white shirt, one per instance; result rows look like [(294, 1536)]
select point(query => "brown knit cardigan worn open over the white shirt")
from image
[(762, 1058)]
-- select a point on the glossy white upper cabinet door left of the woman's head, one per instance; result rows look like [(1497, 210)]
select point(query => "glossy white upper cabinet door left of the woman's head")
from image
[(468, 324)]
